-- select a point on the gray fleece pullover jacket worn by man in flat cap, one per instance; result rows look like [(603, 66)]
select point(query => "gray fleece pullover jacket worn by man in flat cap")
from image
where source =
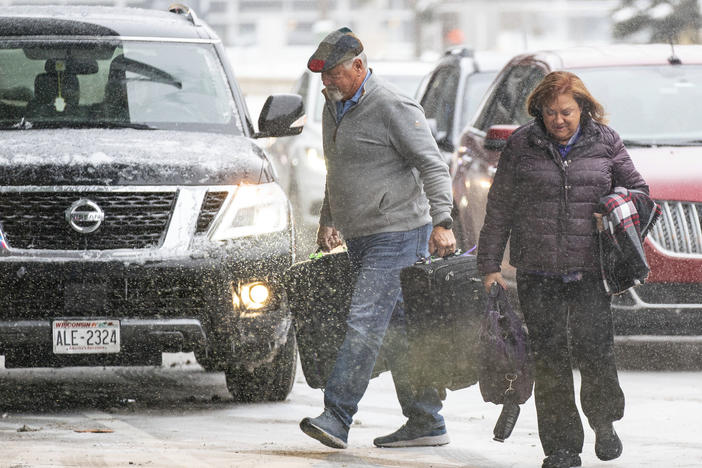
[(384, 170)]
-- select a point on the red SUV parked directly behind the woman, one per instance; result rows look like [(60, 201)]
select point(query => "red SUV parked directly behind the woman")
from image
[(651, 94)]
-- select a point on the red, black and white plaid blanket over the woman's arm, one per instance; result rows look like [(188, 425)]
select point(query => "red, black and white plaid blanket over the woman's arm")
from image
[(628, 215)]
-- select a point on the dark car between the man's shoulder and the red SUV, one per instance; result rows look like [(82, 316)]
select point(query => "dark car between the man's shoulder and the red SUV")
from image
[(451, 93)]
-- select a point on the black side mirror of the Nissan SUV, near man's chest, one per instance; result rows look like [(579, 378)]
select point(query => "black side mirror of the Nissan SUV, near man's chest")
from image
[(281, 115)]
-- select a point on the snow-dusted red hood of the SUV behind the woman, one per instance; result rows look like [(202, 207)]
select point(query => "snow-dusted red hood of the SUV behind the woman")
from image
[(672, 173)]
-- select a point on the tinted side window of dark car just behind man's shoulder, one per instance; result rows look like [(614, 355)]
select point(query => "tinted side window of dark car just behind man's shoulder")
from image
[(439, 98)]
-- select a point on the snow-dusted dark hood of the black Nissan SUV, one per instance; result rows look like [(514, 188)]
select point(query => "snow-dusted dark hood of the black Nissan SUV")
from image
[(127, 157)]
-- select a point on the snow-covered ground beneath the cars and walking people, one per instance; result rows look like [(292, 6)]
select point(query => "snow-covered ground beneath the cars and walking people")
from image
[(178, 415)]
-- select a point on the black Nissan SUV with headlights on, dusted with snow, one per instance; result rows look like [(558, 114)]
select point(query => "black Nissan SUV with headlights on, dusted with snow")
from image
[(137, 216)]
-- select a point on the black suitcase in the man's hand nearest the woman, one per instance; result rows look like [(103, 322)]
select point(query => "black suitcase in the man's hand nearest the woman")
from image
[(444, 302)]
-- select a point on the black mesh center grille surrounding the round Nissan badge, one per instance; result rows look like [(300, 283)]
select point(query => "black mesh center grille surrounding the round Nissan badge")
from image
[(37, 220)]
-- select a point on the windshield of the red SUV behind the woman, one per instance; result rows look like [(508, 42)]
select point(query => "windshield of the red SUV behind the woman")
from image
[(649, 104)]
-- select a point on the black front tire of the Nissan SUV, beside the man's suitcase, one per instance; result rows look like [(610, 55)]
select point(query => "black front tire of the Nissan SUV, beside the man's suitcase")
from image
[(269, 382)]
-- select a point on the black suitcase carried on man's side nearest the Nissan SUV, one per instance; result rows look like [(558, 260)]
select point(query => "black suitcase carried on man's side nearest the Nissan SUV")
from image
[(319, 295)]
